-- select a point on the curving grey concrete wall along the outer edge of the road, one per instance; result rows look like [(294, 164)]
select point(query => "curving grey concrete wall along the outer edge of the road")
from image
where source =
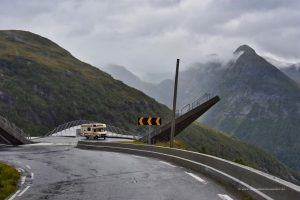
[(256, 184)]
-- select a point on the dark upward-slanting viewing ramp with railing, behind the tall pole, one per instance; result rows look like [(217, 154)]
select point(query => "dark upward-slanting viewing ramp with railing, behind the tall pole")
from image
[(193, 112)]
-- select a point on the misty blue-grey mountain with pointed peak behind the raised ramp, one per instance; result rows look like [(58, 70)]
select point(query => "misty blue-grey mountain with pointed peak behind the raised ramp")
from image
[(259, 103)]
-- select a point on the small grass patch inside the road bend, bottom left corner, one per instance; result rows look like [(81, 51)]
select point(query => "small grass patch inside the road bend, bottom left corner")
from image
[(9, 178)]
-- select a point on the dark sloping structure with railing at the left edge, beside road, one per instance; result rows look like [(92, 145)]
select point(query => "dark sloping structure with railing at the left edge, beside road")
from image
[(10, 134)]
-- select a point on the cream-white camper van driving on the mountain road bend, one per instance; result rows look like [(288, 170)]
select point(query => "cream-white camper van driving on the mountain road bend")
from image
[(93, 131)]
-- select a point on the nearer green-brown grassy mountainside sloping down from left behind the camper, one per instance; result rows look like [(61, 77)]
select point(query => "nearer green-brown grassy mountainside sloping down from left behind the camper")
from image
[(42, 85)]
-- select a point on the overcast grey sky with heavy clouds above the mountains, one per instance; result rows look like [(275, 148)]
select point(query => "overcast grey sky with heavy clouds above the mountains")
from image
[(149, 35)]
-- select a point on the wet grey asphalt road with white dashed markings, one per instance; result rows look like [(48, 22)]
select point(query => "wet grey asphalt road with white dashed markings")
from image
[(63, 172)]
